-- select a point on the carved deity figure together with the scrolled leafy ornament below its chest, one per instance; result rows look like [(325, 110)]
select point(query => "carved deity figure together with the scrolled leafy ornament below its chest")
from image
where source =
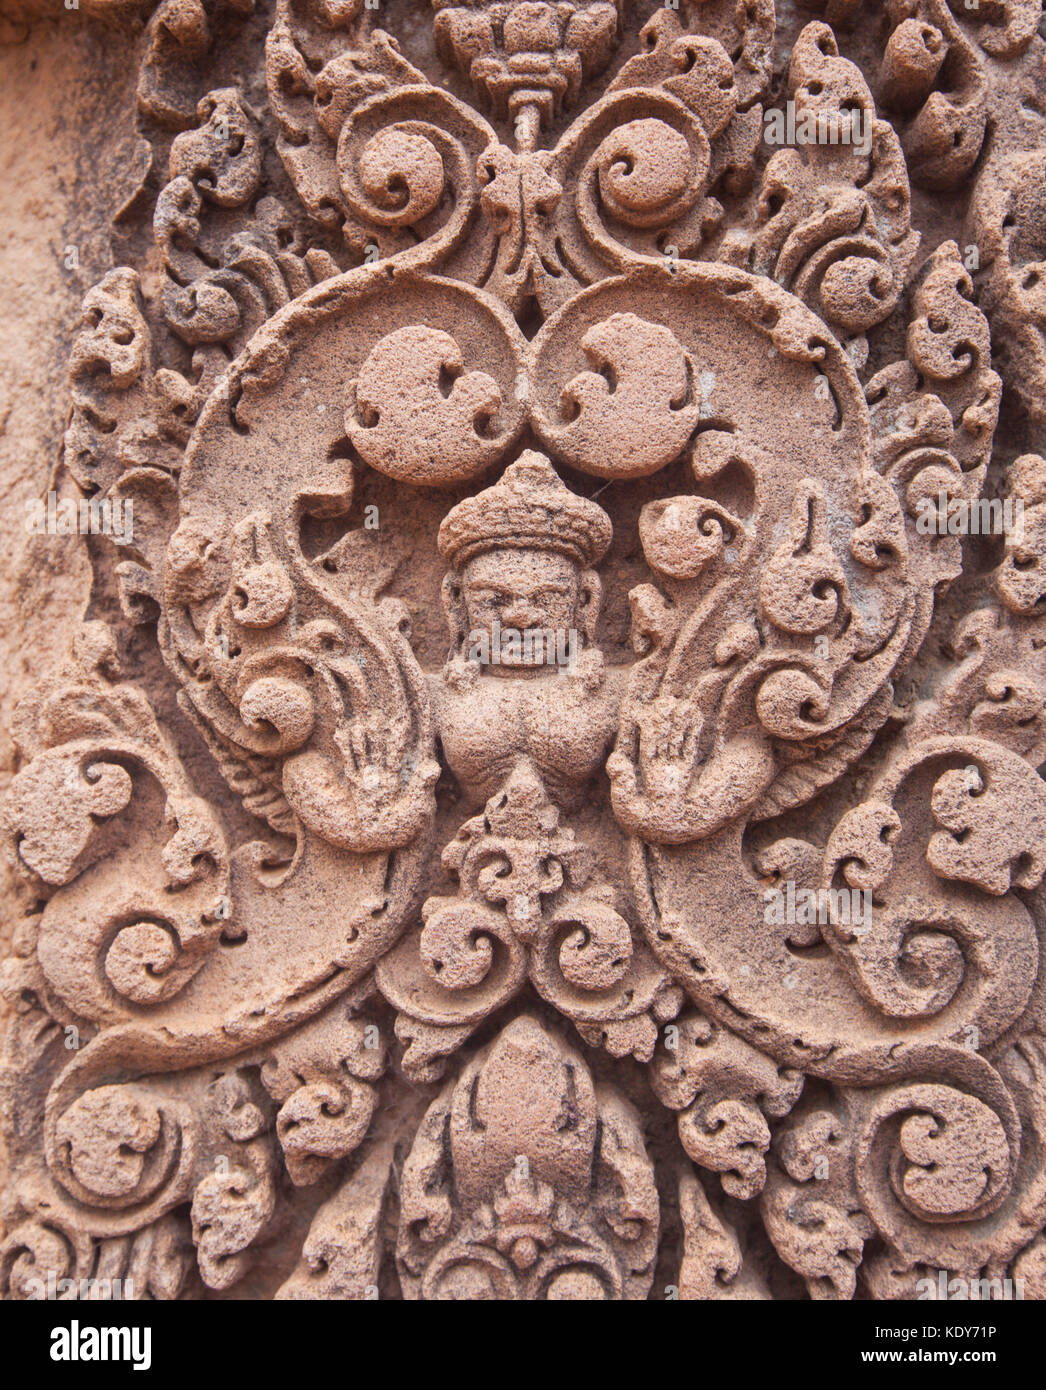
[(529, 740)]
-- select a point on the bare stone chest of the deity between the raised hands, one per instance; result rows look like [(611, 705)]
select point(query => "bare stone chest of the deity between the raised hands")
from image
[(562, 728)]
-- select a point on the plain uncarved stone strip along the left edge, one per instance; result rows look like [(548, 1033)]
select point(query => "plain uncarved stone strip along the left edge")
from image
[(67, 117)]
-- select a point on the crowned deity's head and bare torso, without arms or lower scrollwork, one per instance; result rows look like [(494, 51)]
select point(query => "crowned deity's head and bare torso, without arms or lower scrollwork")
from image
[(526, 685)]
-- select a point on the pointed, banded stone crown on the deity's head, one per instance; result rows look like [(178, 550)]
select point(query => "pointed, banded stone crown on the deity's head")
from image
[(529, 508)]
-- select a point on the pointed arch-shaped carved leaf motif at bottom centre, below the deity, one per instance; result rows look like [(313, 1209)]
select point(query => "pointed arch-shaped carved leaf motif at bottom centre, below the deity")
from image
[(554, 1193)]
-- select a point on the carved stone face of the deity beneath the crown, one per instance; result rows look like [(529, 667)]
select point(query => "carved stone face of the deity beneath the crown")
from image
[(526, 591)]
